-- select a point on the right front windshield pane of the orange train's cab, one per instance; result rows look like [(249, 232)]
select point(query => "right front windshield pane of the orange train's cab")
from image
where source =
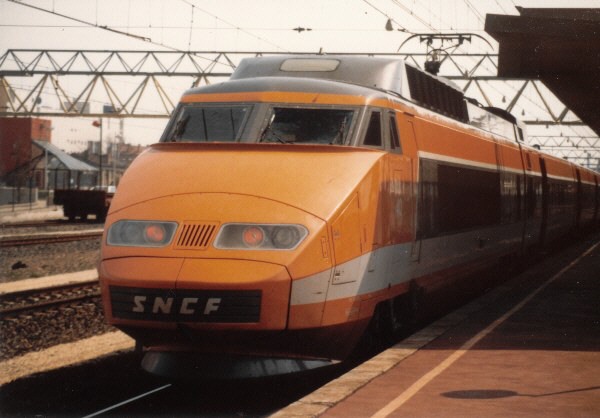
[(302, 125)]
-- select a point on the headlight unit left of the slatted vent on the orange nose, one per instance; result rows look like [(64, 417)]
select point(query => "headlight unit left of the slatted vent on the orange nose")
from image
[(141, 233)]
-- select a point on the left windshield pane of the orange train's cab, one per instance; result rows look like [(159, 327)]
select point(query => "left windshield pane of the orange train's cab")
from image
[(208, 123)]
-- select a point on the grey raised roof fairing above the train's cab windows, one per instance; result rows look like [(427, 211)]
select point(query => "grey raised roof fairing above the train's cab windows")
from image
[(364, 76)]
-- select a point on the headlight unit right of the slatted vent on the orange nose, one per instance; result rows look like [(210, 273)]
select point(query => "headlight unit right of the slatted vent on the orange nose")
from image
[(260, 236)]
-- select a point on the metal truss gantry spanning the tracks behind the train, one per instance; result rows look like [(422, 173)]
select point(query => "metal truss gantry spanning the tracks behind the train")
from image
[(147, 84)]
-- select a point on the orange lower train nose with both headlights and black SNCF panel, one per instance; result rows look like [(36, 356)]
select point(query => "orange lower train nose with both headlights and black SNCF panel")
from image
[(202, 261)]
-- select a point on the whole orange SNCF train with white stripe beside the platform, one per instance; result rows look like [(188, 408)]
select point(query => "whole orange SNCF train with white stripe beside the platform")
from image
[(309, 199)]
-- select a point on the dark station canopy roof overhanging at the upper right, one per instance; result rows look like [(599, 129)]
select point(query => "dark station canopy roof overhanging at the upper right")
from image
[(561, 47)]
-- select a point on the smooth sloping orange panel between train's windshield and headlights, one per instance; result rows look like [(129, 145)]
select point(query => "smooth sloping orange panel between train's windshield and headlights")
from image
[(314, 178)]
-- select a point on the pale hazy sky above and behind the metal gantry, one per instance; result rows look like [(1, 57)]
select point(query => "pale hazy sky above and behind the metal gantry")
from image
[(233, 25)]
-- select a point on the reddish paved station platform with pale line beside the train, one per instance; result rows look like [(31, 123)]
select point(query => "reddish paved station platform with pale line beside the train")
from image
[(528, 348)]
